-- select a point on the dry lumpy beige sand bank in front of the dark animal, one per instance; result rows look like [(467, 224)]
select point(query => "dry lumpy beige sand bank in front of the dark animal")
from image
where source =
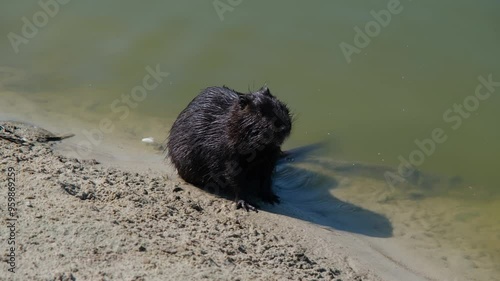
[(79, 219)]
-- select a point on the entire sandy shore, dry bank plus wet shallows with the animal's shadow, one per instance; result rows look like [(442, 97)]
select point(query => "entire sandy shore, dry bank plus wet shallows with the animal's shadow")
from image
[(120, 212)]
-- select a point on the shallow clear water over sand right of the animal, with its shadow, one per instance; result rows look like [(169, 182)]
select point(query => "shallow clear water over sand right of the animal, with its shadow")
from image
[(427, 219)]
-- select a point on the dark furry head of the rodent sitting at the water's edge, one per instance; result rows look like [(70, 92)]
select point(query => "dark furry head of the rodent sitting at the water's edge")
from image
[(266, 120)]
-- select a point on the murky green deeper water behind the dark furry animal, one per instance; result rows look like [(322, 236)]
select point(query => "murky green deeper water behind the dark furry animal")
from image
[(393, 91)]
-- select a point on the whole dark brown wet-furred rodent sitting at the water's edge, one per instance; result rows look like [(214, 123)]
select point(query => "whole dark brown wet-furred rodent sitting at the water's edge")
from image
[(228, 142)]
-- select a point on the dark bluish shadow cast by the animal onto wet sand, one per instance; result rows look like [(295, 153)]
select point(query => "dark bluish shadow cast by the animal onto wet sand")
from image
[(305, 194)]
